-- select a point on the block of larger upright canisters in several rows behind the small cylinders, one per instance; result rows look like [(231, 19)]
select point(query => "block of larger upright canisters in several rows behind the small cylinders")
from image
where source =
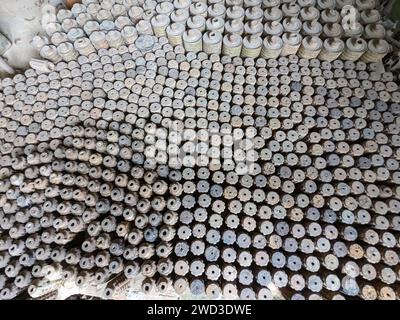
[(326, 29)]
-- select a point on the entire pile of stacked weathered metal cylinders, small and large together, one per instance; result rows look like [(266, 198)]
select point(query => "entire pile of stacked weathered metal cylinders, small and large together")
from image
[(226, 149)]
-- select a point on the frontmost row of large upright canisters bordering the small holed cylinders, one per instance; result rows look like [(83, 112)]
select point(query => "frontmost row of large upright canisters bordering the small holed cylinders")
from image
[(272, 47)]
